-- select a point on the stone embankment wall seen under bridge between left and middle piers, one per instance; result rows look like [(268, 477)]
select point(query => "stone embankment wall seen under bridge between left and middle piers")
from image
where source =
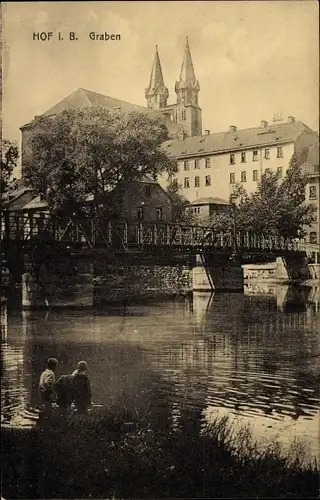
[(130, 283)]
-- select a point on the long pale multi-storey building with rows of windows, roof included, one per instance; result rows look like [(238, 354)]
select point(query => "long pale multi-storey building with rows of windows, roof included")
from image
[(212, 165)]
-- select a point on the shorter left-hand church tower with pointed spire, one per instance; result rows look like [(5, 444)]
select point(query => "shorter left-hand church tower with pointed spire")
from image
[(156, 94)]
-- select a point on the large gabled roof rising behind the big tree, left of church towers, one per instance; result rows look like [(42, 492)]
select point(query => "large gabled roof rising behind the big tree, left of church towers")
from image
[(82, 98)]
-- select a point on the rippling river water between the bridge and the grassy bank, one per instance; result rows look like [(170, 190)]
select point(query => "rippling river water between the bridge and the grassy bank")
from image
[(253, 356)]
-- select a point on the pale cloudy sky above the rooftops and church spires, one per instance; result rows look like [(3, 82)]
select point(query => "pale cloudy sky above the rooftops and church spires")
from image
[(252, 58)]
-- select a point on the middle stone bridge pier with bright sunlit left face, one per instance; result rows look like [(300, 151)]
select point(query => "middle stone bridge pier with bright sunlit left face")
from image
[(219, 275)]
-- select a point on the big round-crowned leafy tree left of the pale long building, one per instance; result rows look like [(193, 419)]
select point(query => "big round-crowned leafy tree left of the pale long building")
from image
[(82, 154)]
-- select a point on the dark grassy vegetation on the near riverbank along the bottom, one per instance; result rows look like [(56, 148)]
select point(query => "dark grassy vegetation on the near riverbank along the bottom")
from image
[(127, 453)]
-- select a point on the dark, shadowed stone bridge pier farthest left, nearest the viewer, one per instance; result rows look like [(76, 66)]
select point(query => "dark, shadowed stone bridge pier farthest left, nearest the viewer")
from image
[(64, 283)]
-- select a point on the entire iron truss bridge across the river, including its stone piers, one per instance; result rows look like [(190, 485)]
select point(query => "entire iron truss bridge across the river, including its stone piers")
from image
[(68, 252)]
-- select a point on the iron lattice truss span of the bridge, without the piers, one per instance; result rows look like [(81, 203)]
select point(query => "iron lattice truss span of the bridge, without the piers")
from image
[(28, 228)]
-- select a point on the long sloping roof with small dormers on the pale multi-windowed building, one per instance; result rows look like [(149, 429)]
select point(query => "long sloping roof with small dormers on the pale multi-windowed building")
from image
[(249, 138)]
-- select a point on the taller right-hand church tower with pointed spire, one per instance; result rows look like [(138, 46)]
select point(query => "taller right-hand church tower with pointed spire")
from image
[(188, 113)]
